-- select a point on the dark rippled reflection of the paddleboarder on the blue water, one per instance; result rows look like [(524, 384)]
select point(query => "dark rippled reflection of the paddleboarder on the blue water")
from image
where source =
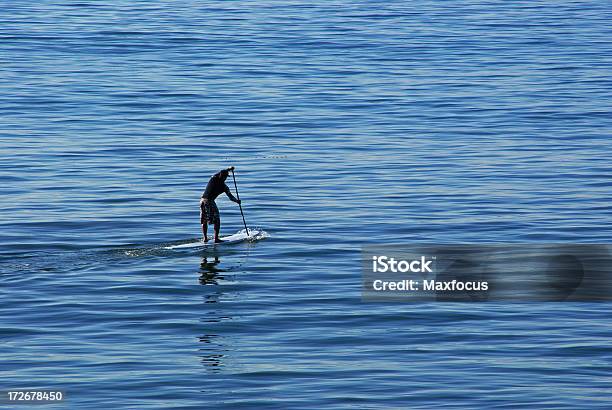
[(211, 350)]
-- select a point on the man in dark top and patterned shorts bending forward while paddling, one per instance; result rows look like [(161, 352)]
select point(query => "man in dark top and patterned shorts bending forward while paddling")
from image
[(209, 213)]
